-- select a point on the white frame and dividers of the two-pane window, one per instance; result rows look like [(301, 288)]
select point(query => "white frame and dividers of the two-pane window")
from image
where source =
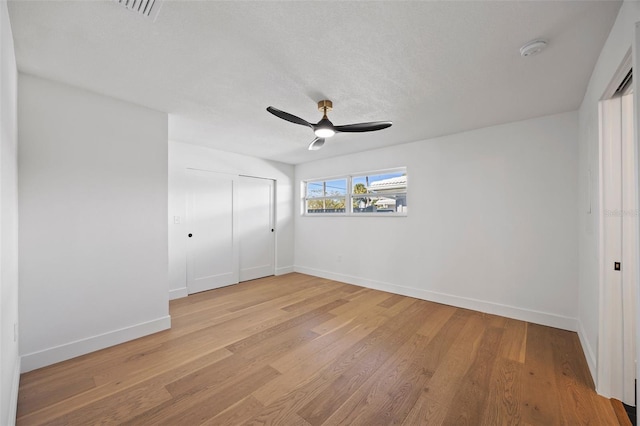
[(349, 196)]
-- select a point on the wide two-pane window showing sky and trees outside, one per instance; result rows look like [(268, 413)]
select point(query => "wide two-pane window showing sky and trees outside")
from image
[(375, 193)]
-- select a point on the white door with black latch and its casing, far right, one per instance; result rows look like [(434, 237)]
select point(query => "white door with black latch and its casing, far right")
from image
[(616, 345)]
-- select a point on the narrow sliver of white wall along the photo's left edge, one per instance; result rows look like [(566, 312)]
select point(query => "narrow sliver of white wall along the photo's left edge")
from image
[(9, 359)]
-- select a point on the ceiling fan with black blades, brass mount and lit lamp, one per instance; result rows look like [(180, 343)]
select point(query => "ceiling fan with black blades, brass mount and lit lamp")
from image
[(324, 128)]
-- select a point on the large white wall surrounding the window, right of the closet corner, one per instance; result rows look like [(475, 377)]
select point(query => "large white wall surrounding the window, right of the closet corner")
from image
[(491, 222)]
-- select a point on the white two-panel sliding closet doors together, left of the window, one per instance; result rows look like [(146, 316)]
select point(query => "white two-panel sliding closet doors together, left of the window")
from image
[(231, 230)]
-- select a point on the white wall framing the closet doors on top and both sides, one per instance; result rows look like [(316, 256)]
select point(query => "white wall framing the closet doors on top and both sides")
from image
[(183, 156)]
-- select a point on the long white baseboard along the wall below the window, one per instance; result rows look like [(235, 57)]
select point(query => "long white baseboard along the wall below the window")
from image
[(537, 317)]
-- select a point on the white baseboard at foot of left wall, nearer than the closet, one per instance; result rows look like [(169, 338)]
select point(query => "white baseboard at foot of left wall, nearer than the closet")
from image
[(70, 350)]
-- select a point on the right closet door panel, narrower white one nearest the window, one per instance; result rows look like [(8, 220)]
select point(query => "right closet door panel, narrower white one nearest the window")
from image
[(255, 214)]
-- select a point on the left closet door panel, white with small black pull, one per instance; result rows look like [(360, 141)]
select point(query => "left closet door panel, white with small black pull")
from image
[(212, 249)]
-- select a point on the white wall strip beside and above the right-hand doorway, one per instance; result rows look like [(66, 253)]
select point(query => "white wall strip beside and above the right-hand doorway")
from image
[(612, 54)]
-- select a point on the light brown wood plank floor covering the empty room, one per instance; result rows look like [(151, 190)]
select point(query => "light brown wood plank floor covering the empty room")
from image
[(301, 350)]
